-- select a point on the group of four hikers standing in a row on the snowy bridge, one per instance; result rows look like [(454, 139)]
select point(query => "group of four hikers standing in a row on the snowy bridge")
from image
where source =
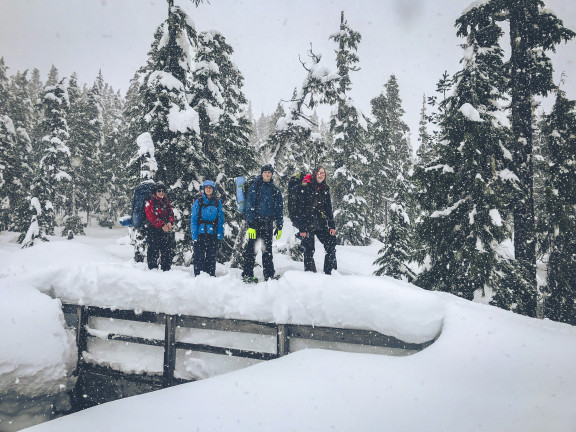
[(264, 208)]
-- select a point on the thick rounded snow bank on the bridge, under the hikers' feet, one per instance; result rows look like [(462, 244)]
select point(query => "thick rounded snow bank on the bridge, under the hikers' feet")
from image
[(383, 304)]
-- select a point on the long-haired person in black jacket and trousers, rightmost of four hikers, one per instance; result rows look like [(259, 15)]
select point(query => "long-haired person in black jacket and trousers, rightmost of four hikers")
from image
[(317, 221)]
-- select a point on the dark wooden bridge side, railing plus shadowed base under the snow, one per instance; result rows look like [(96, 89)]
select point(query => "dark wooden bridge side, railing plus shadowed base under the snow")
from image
[(97, 384)]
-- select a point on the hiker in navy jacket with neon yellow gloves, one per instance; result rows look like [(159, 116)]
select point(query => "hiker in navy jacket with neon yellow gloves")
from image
[(264, 207)]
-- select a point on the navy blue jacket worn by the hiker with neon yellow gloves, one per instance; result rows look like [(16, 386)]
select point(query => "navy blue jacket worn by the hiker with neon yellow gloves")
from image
[(270, 204)]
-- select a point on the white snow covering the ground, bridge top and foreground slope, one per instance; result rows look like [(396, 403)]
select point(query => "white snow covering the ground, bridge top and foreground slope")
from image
[(489, 370)]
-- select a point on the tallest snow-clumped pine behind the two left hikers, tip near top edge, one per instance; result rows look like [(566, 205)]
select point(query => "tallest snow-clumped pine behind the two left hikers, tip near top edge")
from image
[(172, 123)]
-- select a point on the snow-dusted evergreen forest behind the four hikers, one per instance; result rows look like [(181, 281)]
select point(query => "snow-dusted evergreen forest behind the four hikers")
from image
[(491, 167)]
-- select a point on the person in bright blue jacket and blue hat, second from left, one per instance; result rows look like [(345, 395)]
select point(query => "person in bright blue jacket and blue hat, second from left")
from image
[(207, 229)]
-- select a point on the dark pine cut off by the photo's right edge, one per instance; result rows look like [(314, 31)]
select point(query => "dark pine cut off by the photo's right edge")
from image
[(560, 199)]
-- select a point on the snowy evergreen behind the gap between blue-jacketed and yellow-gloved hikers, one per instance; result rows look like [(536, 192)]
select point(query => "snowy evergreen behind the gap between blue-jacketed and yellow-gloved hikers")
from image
[(224, 125)]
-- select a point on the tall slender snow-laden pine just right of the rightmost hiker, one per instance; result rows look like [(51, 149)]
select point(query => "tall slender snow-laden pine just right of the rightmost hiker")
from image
[(350, 160)]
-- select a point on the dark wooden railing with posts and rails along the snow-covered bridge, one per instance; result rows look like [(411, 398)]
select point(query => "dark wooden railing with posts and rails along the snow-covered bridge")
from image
[(286, 335)]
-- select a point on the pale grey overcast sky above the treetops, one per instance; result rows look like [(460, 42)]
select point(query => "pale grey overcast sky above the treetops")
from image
[(412, 39)]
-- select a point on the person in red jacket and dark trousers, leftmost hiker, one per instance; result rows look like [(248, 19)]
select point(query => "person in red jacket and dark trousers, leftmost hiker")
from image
[(158, 233)]
